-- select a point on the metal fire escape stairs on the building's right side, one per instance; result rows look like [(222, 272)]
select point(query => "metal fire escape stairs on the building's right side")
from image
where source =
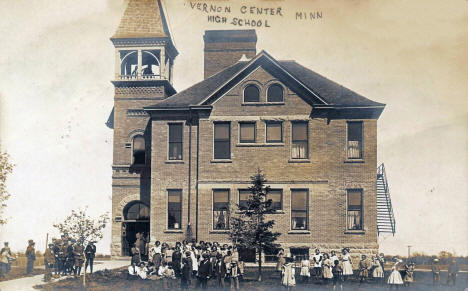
[(385, 217)]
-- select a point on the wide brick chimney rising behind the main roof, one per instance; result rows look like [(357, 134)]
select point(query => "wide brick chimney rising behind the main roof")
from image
[(224, 48)]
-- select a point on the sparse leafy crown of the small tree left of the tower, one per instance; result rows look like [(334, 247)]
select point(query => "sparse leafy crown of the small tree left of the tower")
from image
[(82, 228)]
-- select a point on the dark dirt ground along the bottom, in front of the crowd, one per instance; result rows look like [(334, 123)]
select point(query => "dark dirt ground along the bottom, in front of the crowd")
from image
[(120, 280)]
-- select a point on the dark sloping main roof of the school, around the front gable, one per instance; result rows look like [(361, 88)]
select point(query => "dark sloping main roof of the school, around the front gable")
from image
[(329, 92)]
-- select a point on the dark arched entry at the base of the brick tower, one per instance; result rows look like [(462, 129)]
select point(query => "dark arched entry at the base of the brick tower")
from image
[(136, 220)]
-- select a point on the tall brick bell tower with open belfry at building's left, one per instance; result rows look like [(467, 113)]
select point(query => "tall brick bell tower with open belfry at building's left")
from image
[(144, 59)]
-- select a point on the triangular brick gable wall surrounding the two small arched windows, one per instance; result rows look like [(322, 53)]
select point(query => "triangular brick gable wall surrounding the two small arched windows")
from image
[(232, 103)]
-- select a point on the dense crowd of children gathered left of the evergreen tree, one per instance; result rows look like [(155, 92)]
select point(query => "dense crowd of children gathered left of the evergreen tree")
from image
[(186, 261)]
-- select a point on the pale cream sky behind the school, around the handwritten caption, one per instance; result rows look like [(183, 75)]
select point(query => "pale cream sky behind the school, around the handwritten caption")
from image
[(56, 64)]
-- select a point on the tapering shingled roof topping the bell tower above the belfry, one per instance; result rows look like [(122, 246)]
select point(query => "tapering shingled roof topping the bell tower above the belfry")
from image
[(143, 19)]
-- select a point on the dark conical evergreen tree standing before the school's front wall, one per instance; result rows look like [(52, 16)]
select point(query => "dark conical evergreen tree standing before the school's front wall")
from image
[(249, 227)]
